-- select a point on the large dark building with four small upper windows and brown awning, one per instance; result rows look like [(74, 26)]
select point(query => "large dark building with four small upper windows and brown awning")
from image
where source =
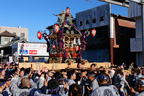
[(113, 33)]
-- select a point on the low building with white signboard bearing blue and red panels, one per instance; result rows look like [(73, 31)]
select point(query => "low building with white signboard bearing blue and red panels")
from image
[(22, 50)]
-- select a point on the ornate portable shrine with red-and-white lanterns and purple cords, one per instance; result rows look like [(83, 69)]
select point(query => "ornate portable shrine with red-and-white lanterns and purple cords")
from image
[(65, 43)]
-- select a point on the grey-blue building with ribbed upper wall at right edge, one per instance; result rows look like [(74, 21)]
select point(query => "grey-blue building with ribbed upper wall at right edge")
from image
[(136, 43)]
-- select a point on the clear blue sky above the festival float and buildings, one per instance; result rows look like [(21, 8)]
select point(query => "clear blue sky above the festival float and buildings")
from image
[(37, 14)]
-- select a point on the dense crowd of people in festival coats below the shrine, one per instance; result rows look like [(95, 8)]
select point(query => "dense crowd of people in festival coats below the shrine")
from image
[(113, 81)]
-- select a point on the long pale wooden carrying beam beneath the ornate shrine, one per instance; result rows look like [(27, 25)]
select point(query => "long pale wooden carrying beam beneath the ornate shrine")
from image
[(58, 66)]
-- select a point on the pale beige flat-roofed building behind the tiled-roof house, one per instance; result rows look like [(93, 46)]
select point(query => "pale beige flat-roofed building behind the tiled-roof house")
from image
[(20, 32)]
